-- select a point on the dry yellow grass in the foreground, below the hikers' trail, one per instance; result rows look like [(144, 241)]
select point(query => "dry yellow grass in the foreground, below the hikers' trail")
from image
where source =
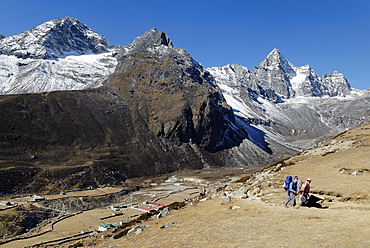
[(211, 224)]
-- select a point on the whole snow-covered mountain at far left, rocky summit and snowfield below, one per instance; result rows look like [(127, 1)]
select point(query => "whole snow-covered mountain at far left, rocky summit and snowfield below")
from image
[(44, 58)]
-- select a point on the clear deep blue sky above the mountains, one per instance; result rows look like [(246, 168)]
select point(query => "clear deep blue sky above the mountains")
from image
[(327, 34)]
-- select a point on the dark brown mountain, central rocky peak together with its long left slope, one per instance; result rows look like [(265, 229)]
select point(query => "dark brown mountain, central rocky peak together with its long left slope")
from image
[(158, 112)]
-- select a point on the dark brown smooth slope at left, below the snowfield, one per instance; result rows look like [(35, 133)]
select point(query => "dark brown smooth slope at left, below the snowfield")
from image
[(81, 138)]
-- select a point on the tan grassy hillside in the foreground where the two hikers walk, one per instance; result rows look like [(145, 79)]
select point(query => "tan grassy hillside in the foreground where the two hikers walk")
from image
[(340, 219)]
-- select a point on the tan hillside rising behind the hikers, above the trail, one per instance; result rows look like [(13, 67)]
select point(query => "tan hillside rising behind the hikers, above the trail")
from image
[(340, 167)]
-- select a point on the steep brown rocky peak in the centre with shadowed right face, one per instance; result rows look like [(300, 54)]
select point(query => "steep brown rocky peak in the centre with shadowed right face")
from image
[(174, 94)]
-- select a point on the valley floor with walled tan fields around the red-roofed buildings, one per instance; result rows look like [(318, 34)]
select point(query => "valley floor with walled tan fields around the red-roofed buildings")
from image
[(75, 225)]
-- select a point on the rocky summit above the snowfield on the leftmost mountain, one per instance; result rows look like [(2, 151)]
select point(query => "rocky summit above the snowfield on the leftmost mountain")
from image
[(54, 39)]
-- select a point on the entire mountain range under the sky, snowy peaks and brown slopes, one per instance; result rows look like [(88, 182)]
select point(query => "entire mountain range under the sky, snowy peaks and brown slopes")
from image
[(149, 108)]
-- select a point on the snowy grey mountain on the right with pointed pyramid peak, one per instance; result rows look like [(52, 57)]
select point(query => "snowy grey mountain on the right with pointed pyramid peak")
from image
[(294, 102)]
